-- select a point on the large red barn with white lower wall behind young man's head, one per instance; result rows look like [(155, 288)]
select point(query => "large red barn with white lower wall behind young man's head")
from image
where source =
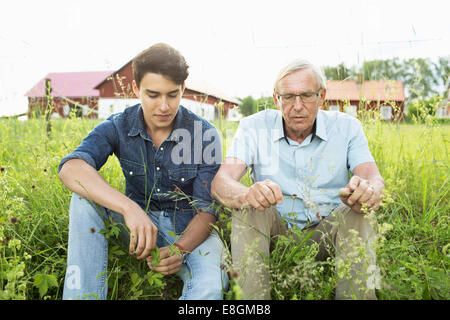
[(116, 93)]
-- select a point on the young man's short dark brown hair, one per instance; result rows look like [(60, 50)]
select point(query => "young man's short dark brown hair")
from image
[(161, 59)]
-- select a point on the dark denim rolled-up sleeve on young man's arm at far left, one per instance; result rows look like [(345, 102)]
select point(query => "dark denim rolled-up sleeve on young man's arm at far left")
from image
[(96, 147)]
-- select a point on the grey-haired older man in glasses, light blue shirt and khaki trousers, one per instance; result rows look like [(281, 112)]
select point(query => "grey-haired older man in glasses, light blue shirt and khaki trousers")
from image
[(300, 159)]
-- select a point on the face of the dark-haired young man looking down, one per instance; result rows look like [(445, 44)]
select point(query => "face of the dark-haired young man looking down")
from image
[(160, 99)]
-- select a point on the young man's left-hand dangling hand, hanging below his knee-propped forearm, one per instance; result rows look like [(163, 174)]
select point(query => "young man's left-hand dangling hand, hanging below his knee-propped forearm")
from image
[(143, 232)]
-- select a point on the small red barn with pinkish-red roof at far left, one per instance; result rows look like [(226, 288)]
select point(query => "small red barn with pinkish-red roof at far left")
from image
[(70, 91)]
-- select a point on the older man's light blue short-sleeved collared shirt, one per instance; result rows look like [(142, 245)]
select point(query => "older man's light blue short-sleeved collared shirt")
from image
[(309, 174)]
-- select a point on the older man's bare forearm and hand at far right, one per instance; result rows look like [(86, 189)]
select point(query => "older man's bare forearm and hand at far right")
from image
[(365, 186)]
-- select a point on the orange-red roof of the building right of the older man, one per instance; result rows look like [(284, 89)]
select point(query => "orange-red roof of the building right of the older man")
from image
[(369, 90)]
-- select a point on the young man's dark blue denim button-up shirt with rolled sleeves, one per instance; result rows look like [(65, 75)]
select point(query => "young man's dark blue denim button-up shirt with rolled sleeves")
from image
[(175, 177)]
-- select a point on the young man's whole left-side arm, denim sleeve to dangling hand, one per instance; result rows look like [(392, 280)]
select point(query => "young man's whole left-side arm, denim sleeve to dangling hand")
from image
[(79, 172)]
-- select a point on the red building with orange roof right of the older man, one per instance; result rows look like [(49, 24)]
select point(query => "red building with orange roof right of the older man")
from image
[(354, 97)]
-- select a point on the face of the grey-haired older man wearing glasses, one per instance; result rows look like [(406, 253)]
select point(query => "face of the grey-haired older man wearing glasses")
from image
[(299, 113)]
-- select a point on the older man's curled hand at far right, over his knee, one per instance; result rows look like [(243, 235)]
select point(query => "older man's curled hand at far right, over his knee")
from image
[(359, 191)]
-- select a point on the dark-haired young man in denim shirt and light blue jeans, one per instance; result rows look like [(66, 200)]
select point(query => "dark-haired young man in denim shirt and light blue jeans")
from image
[(169, 157)]
